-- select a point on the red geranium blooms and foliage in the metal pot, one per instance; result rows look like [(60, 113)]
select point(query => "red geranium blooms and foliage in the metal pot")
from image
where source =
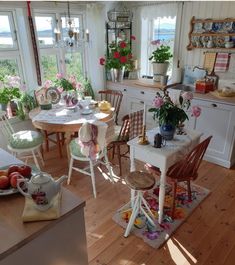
[(120, 55)]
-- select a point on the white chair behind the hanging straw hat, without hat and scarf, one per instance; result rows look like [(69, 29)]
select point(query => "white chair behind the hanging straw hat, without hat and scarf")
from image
[(101, 158)]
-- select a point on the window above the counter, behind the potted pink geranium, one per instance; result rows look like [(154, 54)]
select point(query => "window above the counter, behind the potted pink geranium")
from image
[(160, 28)]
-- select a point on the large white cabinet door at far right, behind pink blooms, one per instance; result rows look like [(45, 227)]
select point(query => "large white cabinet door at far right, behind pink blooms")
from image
[(216, 120)]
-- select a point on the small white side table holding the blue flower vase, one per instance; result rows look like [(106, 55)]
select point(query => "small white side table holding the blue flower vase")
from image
[(163, 157)]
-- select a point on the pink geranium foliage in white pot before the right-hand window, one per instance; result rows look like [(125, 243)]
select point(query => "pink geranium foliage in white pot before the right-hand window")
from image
[(162, 54)]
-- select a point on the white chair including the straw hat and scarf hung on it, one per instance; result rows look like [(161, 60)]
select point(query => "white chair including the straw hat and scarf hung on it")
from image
[(80, 149)]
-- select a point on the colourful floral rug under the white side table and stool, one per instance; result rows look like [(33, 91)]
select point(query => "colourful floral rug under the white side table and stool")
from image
[(156, 236)]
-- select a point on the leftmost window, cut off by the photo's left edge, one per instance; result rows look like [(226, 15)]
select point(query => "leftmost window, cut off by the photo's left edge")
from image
[(10, 63)]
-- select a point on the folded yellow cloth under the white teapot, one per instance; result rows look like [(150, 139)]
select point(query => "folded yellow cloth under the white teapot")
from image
[(31, 213)]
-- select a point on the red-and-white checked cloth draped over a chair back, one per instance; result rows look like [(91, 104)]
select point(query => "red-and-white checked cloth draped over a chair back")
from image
[(136, 123)]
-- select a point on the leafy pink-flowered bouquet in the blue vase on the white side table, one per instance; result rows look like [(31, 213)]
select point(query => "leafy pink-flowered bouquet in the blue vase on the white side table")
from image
[(168, 112)]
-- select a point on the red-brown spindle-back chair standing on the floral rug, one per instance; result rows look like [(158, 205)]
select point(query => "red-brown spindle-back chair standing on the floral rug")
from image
[(184, 170)]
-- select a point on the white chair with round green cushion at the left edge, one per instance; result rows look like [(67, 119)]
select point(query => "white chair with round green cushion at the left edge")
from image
[(24, 144)]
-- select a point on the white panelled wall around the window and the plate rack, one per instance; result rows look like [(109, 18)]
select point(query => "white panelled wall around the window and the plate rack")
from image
[(199, 9)]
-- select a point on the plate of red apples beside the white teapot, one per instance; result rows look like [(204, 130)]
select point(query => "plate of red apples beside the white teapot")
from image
[(9, 176)]
